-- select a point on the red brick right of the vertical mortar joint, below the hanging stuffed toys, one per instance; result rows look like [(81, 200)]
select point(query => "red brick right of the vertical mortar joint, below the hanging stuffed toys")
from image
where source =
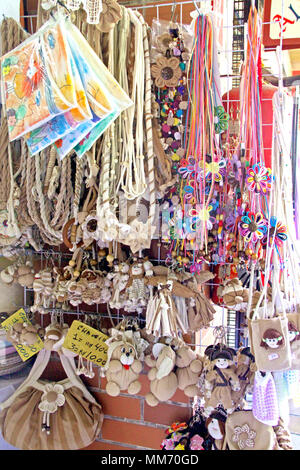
[(166, 414)]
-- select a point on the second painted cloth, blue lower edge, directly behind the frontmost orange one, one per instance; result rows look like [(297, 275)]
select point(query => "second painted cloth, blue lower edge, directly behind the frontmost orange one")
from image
[(62, 125)]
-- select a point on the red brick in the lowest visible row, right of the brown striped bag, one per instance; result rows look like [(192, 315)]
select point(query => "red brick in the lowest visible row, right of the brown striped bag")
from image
[(134, 434)]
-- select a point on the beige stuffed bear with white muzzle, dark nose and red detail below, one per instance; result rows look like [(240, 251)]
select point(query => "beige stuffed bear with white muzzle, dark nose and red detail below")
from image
[(122, 367)]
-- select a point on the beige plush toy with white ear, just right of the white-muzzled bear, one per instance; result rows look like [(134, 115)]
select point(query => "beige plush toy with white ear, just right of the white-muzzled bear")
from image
[(163, 380)]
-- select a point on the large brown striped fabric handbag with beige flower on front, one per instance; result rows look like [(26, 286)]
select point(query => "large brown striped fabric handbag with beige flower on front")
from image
[(43, 415)]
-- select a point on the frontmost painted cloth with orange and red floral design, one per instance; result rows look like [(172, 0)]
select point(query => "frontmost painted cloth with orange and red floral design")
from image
[(38, 81)]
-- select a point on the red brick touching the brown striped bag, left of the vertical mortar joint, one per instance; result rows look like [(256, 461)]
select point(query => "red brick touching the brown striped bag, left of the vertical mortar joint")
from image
[(122, 407)]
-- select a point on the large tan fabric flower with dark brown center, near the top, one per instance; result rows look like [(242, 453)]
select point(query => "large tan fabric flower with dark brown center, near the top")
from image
[(166, 72)]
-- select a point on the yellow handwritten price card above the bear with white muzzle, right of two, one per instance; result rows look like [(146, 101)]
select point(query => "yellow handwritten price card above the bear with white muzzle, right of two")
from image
[(87, 342)]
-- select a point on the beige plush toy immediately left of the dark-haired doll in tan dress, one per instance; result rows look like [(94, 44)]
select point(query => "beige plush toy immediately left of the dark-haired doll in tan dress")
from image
[(189, 367)]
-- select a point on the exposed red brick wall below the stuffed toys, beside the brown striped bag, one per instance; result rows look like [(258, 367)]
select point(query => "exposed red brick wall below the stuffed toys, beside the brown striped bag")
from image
[(129, 422)]
